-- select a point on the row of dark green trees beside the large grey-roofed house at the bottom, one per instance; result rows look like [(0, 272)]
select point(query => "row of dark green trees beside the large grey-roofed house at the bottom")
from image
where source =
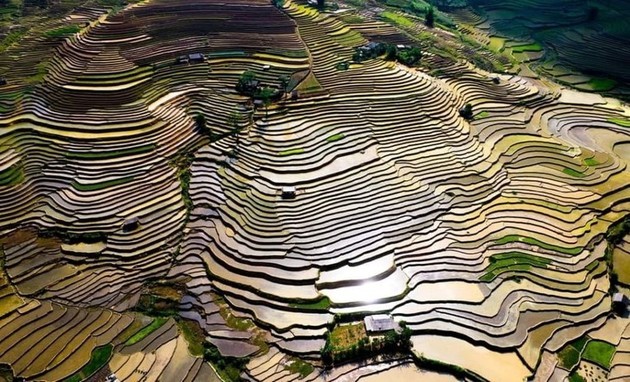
[(392, 342)]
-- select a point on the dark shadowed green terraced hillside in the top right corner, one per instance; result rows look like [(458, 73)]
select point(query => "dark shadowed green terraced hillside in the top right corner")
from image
[(574, 40)]
